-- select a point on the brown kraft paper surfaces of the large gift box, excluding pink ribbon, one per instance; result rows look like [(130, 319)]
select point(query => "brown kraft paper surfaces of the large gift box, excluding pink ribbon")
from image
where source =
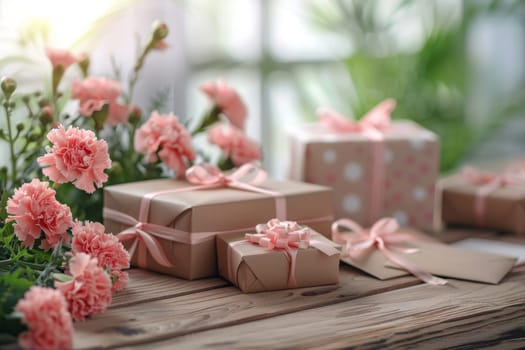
[(197, 215)]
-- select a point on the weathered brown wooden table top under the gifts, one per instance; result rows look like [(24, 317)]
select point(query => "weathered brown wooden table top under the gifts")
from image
[(163, 312)]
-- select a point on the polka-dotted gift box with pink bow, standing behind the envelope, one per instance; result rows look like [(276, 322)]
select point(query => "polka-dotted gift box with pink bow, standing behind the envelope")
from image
[(376, 166)]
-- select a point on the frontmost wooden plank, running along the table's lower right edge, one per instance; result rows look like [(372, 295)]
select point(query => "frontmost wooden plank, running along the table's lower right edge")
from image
[(462, 315)]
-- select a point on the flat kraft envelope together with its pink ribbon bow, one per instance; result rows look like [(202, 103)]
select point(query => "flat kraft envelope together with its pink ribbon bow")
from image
[(408, 251)]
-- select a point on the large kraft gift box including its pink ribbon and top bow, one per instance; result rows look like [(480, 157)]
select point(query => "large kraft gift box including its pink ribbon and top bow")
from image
[(169, 226)]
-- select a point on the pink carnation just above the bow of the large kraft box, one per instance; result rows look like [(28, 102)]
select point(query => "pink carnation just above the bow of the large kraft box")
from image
[(234, 143)]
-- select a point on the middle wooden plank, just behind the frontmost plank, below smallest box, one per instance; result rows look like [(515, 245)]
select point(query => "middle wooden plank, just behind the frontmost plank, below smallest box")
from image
[(178, 315)]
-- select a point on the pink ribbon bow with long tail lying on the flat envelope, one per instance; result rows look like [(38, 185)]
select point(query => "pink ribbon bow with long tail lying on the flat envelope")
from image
[(385, 237)]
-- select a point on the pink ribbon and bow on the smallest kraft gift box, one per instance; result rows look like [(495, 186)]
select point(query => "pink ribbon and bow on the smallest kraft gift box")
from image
[(286, 236)]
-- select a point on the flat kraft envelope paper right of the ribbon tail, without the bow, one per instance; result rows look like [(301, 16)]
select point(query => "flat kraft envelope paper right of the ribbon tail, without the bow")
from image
[(447, 261)]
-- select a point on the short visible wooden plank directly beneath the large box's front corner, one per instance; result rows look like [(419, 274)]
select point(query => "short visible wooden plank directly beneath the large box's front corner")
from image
[(147, 286)]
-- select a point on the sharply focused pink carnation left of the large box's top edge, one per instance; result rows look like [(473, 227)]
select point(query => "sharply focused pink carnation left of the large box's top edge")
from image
[(77, 156)]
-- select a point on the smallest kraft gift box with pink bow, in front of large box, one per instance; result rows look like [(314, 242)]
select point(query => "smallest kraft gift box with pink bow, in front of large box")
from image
[(280, 255)]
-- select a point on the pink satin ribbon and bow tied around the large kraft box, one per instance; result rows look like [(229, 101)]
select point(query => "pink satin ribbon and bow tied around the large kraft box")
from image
[(204, 176)]
